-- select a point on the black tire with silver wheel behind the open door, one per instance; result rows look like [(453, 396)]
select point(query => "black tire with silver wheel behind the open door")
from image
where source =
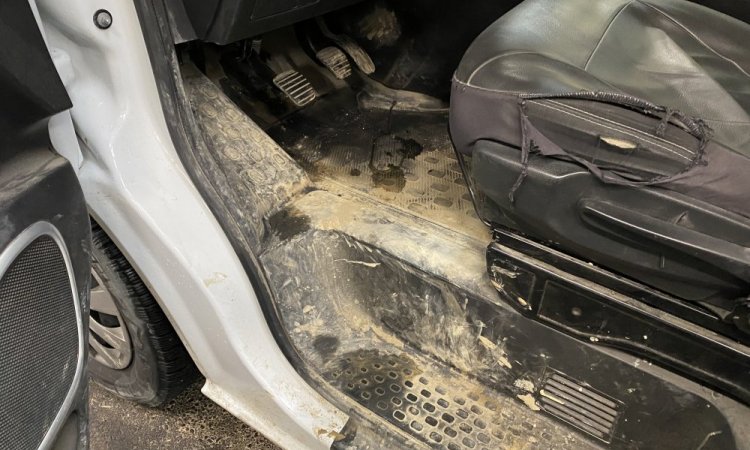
[(156, 367)]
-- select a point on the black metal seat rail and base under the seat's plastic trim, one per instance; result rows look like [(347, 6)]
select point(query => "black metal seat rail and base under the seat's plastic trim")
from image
[(597, 306)]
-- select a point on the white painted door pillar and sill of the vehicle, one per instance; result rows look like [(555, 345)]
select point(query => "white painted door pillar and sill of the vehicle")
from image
[(138, 190)]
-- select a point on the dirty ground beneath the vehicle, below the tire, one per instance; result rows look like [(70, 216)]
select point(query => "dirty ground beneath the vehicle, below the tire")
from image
[(190, 421)]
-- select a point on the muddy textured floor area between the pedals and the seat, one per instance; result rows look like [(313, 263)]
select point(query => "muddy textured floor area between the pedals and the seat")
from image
[(405, 159)]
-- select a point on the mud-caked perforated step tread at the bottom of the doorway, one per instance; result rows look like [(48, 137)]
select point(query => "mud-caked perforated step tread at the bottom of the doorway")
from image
[(417, 401)]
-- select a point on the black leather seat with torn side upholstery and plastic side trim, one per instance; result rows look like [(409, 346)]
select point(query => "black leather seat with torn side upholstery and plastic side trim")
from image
[(619, 130)]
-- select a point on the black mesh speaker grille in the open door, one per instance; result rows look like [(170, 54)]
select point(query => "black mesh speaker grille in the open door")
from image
[(38, 343)]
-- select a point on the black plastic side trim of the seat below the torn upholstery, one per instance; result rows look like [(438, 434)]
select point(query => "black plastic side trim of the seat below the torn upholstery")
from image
[(562, 203)]
